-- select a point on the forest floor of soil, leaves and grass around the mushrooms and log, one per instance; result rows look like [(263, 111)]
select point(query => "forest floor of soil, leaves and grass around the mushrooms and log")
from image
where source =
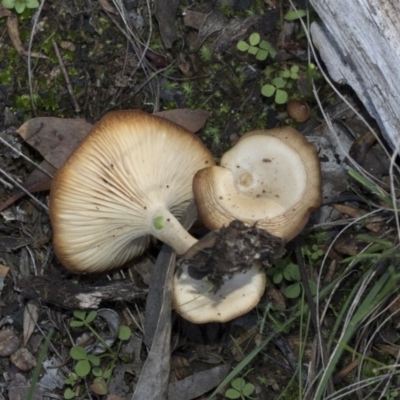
[(327, 325)]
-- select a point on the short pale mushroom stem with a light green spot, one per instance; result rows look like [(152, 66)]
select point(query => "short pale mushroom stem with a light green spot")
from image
[(166, 227)]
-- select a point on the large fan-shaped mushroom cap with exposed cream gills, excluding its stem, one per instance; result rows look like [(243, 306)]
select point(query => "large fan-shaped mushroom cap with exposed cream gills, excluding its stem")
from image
[(101, 199)]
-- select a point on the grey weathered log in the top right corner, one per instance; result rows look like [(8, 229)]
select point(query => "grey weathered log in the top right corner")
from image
[(359, 42)]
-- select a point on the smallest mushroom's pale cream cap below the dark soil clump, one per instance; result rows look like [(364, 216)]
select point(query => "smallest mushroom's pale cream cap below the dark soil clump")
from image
[(195, 300)]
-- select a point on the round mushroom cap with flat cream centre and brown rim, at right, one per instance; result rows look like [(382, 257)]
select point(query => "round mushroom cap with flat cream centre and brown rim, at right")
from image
[(270, 177)]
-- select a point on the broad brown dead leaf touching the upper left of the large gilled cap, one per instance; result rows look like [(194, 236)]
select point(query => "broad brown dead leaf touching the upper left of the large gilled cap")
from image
[(54, 138)]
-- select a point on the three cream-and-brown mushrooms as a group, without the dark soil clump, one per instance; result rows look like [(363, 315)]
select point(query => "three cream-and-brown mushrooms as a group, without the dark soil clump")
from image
[(133, 177)]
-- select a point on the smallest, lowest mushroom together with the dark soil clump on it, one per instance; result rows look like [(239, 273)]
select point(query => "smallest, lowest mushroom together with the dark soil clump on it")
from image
[(223, 275)]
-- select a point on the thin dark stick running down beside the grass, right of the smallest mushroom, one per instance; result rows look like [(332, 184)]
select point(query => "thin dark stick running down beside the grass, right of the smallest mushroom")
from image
[(311, 304)]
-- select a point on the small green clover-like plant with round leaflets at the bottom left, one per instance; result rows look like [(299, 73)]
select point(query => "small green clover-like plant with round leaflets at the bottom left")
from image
[(99, 367)]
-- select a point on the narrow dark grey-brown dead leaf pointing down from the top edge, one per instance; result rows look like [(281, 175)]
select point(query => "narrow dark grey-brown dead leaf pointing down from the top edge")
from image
[(165, 13)]
